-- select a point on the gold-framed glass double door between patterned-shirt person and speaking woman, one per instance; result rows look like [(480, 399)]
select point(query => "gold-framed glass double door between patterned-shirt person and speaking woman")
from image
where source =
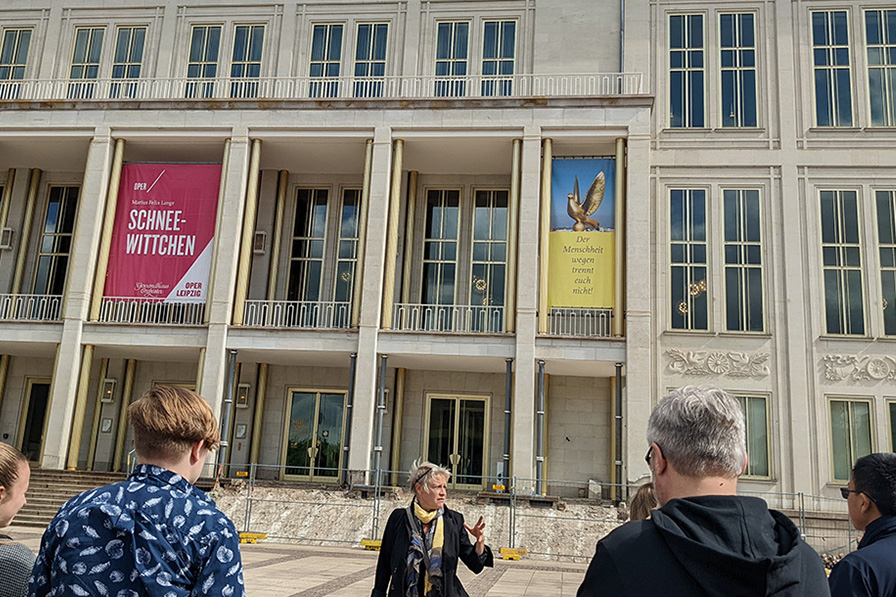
[(314, 435)]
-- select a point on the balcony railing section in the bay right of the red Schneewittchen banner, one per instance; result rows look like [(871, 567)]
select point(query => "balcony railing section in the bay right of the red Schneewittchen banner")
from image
[(298, 314)]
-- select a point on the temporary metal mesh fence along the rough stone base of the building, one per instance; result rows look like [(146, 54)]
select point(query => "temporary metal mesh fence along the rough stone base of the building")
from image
[(564, 523)]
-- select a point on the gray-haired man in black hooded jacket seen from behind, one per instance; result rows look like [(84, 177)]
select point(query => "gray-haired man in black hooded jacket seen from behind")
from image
[(704, 539)]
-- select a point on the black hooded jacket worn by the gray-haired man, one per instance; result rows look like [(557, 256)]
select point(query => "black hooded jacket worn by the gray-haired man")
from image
[(725, 546)]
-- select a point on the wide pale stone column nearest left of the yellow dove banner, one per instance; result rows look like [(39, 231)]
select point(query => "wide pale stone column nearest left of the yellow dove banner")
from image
[(522, 463)]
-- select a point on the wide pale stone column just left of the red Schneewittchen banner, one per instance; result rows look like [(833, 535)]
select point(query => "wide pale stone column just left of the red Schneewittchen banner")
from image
[(79, 284)]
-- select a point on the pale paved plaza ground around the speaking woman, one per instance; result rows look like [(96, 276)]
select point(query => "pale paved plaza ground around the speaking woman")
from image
[(285, 570)]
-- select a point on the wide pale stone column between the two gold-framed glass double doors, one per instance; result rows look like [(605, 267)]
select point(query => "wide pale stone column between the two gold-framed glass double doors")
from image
[(361, 446)]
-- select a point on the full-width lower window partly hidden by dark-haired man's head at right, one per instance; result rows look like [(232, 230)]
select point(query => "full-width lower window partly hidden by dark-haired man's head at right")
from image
[(850, 434)]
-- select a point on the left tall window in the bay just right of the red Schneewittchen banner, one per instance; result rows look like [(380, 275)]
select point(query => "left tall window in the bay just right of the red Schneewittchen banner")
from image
[(307, 250)]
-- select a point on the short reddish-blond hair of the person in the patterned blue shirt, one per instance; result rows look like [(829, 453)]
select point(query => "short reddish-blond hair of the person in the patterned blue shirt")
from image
[(167, 421)]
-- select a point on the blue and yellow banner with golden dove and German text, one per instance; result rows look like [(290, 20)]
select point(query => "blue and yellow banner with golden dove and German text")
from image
[(583, 237)]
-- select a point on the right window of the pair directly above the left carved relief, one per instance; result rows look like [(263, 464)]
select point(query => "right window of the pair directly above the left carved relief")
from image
[(743, 261)]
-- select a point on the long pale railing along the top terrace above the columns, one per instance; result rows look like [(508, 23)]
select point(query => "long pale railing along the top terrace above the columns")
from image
[(284, 88)]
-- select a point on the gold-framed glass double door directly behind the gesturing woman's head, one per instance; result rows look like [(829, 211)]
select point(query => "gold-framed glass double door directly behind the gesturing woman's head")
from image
[(456, 438)]
